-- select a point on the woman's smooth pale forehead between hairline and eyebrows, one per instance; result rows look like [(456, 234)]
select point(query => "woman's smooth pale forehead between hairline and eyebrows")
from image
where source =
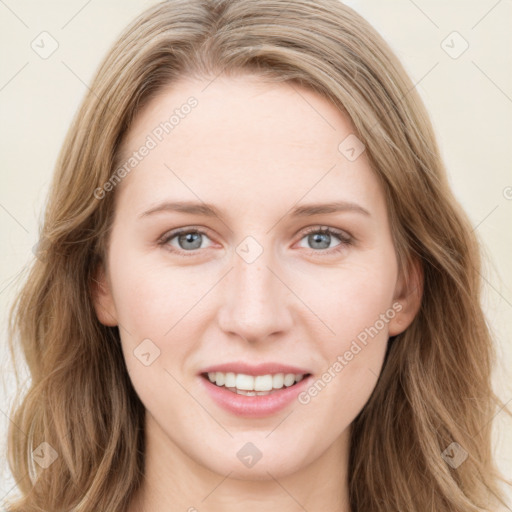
[(243, 137)]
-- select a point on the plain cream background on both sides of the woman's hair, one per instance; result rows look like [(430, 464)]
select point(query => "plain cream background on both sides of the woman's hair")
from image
[(469, 98)]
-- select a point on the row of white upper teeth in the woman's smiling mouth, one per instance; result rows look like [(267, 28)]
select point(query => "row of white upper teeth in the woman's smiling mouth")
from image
[(249, 385)]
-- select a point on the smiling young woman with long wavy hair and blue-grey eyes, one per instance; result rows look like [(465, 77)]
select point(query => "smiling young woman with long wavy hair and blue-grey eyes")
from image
[(253, 368)]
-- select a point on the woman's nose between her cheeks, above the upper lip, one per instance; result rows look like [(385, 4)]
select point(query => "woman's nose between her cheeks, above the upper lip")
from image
[(256, 301)]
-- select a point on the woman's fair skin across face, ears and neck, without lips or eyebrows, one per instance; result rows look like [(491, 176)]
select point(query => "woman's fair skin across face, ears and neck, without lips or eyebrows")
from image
[(255, 151)]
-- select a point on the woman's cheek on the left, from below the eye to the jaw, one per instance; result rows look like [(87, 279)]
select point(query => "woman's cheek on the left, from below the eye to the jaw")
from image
[(153, 307)]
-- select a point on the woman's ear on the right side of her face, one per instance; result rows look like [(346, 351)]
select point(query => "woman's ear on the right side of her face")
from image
[(407, 299)]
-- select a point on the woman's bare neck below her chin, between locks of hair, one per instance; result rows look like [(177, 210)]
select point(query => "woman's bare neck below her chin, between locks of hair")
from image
[(176, 482)]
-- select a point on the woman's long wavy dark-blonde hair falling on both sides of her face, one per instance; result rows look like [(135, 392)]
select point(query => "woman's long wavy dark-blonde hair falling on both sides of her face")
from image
[(435, 386)]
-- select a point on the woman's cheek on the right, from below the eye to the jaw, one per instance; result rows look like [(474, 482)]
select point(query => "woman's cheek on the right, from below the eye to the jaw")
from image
[(356, 304)]
